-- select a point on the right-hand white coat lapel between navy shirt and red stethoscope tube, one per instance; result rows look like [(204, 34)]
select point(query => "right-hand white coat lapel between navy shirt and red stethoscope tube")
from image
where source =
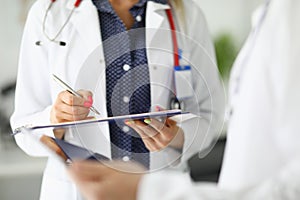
[(158, 44)]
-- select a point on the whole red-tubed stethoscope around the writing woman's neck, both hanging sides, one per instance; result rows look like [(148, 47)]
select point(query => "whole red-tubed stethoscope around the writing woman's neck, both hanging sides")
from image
[(174, 103)]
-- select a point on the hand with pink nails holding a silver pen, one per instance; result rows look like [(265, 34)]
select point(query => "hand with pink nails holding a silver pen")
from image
[(71, 105)]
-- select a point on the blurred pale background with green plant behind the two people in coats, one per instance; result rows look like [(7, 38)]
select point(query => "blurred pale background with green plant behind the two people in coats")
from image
[(229, 23)]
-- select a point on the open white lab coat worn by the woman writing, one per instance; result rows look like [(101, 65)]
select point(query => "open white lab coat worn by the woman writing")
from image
[(36, 92)]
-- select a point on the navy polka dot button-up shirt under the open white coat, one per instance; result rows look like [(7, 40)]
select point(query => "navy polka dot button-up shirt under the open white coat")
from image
[(122, 47)]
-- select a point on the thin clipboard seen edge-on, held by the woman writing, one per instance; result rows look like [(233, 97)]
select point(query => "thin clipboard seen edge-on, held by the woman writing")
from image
[(160, 114)]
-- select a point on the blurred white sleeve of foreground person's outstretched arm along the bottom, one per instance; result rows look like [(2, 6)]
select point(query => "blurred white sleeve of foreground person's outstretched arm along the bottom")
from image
[(171, 186)]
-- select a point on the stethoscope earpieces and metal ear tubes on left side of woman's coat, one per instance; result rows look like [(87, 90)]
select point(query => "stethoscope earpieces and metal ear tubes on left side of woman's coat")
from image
[(54, 39)]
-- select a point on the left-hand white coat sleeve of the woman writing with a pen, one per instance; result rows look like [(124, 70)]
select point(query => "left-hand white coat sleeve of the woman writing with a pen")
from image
[(33, 95)]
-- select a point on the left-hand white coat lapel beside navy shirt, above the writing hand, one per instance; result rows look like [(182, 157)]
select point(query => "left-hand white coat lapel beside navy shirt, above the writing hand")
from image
[(86, 21)]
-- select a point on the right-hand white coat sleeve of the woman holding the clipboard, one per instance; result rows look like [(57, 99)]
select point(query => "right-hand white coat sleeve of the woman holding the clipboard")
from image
[(208, 101)]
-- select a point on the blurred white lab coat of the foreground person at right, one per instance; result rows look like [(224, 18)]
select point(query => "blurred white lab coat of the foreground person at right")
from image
[(262, 152)]
